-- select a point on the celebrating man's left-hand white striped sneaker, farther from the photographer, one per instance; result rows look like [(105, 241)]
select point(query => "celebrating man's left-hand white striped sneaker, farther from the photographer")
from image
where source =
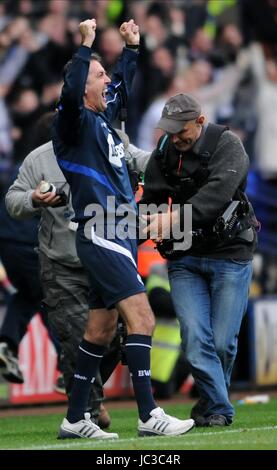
[(83, 428)]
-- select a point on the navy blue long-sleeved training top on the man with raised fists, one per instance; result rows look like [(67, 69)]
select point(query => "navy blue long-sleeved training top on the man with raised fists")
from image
[(88, 150)]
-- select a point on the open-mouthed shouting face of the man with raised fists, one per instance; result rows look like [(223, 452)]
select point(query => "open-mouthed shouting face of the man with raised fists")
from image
[(96, 87)]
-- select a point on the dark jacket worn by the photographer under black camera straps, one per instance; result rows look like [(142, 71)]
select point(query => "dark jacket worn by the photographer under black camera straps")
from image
[(228, 168)]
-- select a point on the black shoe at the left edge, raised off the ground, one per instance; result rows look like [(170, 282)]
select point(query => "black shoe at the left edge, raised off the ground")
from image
[(9, 366)]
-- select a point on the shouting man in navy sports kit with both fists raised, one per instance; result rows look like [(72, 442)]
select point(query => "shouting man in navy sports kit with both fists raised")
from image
[(90, 154)]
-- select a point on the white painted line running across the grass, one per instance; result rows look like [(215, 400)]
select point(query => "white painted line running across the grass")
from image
[(91, 442)]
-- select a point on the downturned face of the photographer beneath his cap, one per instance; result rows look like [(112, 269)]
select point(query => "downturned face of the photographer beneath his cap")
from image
[(186, 138)]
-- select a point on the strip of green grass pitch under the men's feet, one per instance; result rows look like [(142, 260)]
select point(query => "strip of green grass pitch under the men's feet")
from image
[(255, 428)]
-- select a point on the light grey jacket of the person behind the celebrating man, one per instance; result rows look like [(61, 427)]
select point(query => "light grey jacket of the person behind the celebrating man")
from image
[(56, 231)]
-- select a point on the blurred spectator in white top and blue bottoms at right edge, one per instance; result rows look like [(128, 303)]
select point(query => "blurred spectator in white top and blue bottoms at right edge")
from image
[(265, 180)]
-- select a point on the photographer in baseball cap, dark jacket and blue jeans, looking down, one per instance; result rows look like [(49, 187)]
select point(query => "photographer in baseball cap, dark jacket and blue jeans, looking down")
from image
[(204, 166)]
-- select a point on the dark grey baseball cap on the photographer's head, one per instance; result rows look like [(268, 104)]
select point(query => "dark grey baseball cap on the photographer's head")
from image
[(177, 110)]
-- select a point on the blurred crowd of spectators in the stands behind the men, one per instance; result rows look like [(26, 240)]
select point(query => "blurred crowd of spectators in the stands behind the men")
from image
[(222, 52)]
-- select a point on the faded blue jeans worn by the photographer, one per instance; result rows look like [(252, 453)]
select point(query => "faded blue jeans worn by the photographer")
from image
[(210, 298)]
